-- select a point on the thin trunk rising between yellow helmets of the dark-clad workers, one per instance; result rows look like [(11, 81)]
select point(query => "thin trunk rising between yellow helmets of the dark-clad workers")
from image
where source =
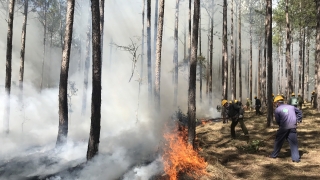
[(232, 62)]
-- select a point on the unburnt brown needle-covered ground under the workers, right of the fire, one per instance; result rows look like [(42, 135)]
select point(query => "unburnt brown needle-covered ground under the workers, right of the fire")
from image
[(246, 157)]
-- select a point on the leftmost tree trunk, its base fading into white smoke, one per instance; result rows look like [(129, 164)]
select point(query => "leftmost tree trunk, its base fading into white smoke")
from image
[(8, 67)]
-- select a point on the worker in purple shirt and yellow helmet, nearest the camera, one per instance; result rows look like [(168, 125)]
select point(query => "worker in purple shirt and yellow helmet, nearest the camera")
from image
[(287, 117)]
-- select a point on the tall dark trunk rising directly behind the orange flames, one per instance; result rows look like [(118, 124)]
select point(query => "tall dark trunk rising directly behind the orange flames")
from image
[(192, 77)]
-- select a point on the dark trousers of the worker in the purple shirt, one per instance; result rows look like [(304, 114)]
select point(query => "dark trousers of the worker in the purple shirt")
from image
[(291, 136)]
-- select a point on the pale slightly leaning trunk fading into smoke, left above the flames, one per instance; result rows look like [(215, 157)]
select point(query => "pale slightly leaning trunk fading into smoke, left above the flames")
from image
[(158, 60)]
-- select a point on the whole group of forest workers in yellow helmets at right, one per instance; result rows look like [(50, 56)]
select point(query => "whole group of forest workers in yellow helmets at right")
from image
[(286, 115)]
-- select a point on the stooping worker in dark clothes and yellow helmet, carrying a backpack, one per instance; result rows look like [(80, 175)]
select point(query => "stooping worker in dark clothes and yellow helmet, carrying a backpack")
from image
[(235, 113)]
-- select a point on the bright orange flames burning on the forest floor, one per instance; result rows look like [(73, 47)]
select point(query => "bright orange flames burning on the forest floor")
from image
[(179, 157)]
